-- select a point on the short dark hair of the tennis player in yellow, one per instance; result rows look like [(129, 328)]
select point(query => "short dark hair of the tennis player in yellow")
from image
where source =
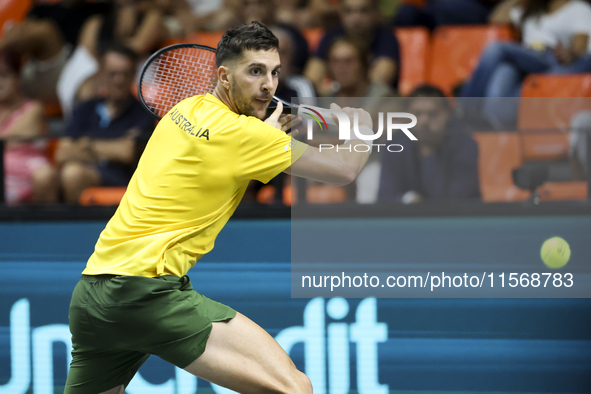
[(250, 36)]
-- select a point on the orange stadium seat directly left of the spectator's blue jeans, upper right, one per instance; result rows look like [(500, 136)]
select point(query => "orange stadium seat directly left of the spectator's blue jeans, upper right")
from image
[(456, 51)]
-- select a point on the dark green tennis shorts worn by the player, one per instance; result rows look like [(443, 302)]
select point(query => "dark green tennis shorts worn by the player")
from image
[(118, 321)]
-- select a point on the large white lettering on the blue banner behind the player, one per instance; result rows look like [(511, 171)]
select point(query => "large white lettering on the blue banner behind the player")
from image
[(320, 341)]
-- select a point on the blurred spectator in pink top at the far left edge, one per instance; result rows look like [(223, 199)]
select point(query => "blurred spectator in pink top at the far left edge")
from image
[(28, 174)]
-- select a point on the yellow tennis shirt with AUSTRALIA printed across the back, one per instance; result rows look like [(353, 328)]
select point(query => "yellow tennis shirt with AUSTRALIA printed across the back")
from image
[(189, 180)]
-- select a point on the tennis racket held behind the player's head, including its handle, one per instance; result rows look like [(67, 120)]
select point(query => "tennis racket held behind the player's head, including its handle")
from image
[(179, 71)]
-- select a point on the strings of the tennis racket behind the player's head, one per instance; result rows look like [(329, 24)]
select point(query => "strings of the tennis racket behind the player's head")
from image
[(176, 75)]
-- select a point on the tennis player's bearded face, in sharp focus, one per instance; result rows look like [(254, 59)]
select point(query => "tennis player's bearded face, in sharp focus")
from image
[(253, 81)]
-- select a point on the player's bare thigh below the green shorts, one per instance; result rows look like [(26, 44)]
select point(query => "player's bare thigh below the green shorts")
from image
[(243, 357)]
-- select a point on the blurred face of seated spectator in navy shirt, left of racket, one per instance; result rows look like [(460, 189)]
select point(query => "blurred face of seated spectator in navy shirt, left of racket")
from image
[(119, 72)]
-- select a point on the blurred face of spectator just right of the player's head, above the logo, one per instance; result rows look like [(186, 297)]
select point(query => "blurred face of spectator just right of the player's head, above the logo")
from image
[(344, 64)]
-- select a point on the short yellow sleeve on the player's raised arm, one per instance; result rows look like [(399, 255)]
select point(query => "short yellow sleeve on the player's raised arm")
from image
[(265, 151)]
